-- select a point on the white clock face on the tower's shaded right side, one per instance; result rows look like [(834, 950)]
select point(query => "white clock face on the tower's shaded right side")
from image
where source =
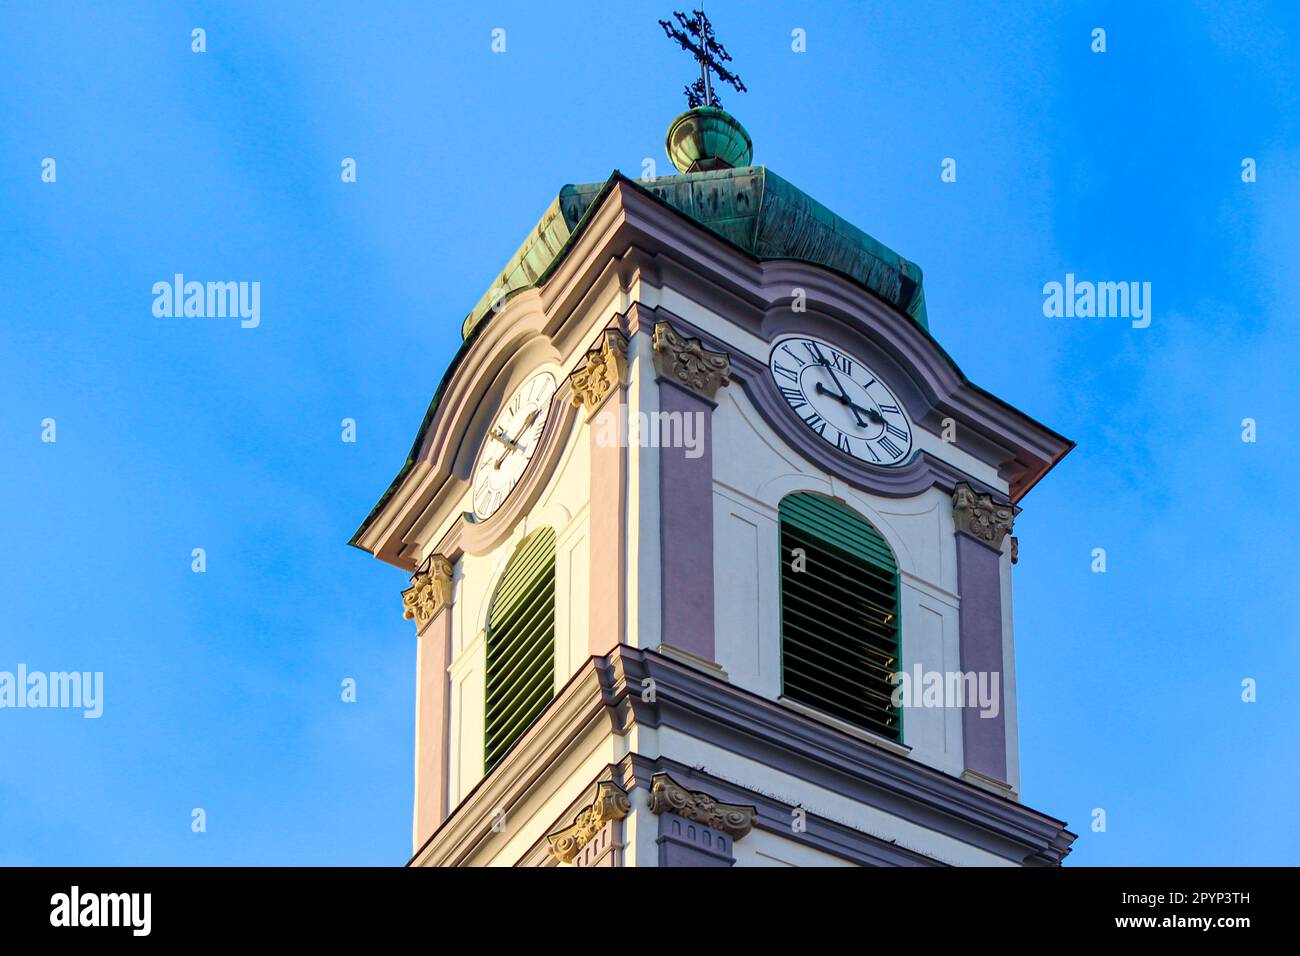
[(842, 400)]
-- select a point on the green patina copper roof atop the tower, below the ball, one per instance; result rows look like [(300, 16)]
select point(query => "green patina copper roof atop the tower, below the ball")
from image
[(751, 207)]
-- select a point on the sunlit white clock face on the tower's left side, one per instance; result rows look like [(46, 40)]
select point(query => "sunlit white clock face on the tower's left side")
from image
[(510, 444)]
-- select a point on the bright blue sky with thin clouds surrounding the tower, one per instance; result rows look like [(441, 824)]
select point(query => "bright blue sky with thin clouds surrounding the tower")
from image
[(223, 689)]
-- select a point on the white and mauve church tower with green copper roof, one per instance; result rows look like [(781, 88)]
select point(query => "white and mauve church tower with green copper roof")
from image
[(710, 548)]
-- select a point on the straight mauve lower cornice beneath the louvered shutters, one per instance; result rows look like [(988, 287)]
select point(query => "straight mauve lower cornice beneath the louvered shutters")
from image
[(606, 697)]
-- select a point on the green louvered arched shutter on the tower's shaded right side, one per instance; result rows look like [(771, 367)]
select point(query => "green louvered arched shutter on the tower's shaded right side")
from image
[(839, 615)]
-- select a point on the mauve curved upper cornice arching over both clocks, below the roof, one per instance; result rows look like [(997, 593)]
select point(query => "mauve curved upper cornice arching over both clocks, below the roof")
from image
[(631, 239)]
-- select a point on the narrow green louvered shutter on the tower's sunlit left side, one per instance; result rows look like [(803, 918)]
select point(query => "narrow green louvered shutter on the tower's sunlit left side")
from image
[(521, 646)]
